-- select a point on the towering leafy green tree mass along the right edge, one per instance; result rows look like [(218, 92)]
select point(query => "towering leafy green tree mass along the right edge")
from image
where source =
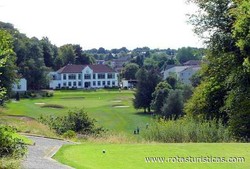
[(224, 90)]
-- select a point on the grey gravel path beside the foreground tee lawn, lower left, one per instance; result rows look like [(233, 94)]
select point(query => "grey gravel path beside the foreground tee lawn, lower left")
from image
[(39, 155)]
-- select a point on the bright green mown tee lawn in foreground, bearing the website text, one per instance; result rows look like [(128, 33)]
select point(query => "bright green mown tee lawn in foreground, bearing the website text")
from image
[(132, 156)]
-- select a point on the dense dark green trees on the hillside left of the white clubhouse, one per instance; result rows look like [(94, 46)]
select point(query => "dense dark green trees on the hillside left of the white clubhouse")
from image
[(33, 59)]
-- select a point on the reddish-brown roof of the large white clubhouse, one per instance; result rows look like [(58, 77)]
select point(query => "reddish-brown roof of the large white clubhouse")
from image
[(78, 69)]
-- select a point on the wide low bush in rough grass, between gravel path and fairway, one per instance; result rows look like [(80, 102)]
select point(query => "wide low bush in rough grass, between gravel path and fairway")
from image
[(76, 120)]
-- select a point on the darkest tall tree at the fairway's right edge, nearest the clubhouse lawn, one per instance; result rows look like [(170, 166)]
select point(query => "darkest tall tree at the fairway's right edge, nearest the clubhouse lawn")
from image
[(146, 83)]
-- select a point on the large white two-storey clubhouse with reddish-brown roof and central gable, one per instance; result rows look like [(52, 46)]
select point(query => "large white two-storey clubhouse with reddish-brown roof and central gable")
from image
[(84, 76)]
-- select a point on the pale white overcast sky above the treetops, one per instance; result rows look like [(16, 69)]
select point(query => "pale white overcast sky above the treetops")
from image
[(104, 23)]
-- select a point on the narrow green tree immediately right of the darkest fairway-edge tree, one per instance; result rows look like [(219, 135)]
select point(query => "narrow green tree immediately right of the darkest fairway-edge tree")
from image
[(159, 96)]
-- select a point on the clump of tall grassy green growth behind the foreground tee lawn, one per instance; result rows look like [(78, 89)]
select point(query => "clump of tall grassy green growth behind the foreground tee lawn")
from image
[(188, 130)]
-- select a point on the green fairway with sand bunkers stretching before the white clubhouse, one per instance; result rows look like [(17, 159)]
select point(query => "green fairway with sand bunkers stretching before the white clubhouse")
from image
[(101, 105)]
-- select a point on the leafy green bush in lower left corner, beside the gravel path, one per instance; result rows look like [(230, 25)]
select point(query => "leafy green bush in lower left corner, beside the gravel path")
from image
[(9, 145)]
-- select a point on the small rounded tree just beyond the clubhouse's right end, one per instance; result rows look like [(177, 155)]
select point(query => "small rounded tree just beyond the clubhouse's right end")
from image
[(129, 71)]
